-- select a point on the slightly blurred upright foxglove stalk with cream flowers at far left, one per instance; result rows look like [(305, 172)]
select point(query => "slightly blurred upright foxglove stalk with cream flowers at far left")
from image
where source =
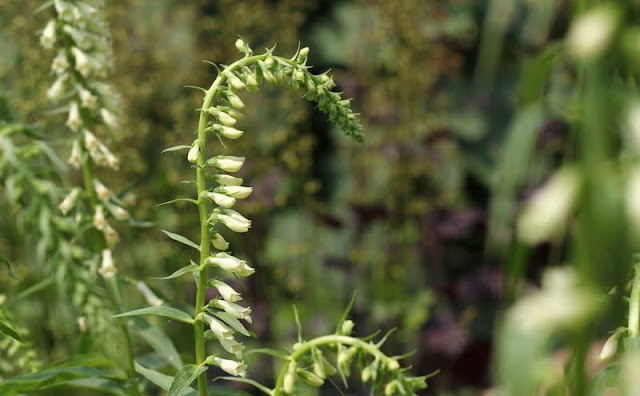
[(80, 36)]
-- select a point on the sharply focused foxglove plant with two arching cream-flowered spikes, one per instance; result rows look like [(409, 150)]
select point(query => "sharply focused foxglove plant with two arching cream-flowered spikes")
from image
[(217, 193)]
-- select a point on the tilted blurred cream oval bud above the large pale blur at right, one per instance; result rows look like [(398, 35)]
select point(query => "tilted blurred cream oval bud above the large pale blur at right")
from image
[(547, 211)]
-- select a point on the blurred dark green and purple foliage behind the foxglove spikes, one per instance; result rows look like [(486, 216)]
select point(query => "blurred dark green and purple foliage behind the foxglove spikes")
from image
[(466, 108)]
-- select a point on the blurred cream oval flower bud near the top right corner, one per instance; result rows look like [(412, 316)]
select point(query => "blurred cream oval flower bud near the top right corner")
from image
[(591, 32)]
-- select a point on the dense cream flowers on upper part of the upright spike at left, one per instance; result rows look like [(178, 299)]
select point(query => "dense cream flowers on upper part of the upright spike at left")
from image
[(80, 38)]
